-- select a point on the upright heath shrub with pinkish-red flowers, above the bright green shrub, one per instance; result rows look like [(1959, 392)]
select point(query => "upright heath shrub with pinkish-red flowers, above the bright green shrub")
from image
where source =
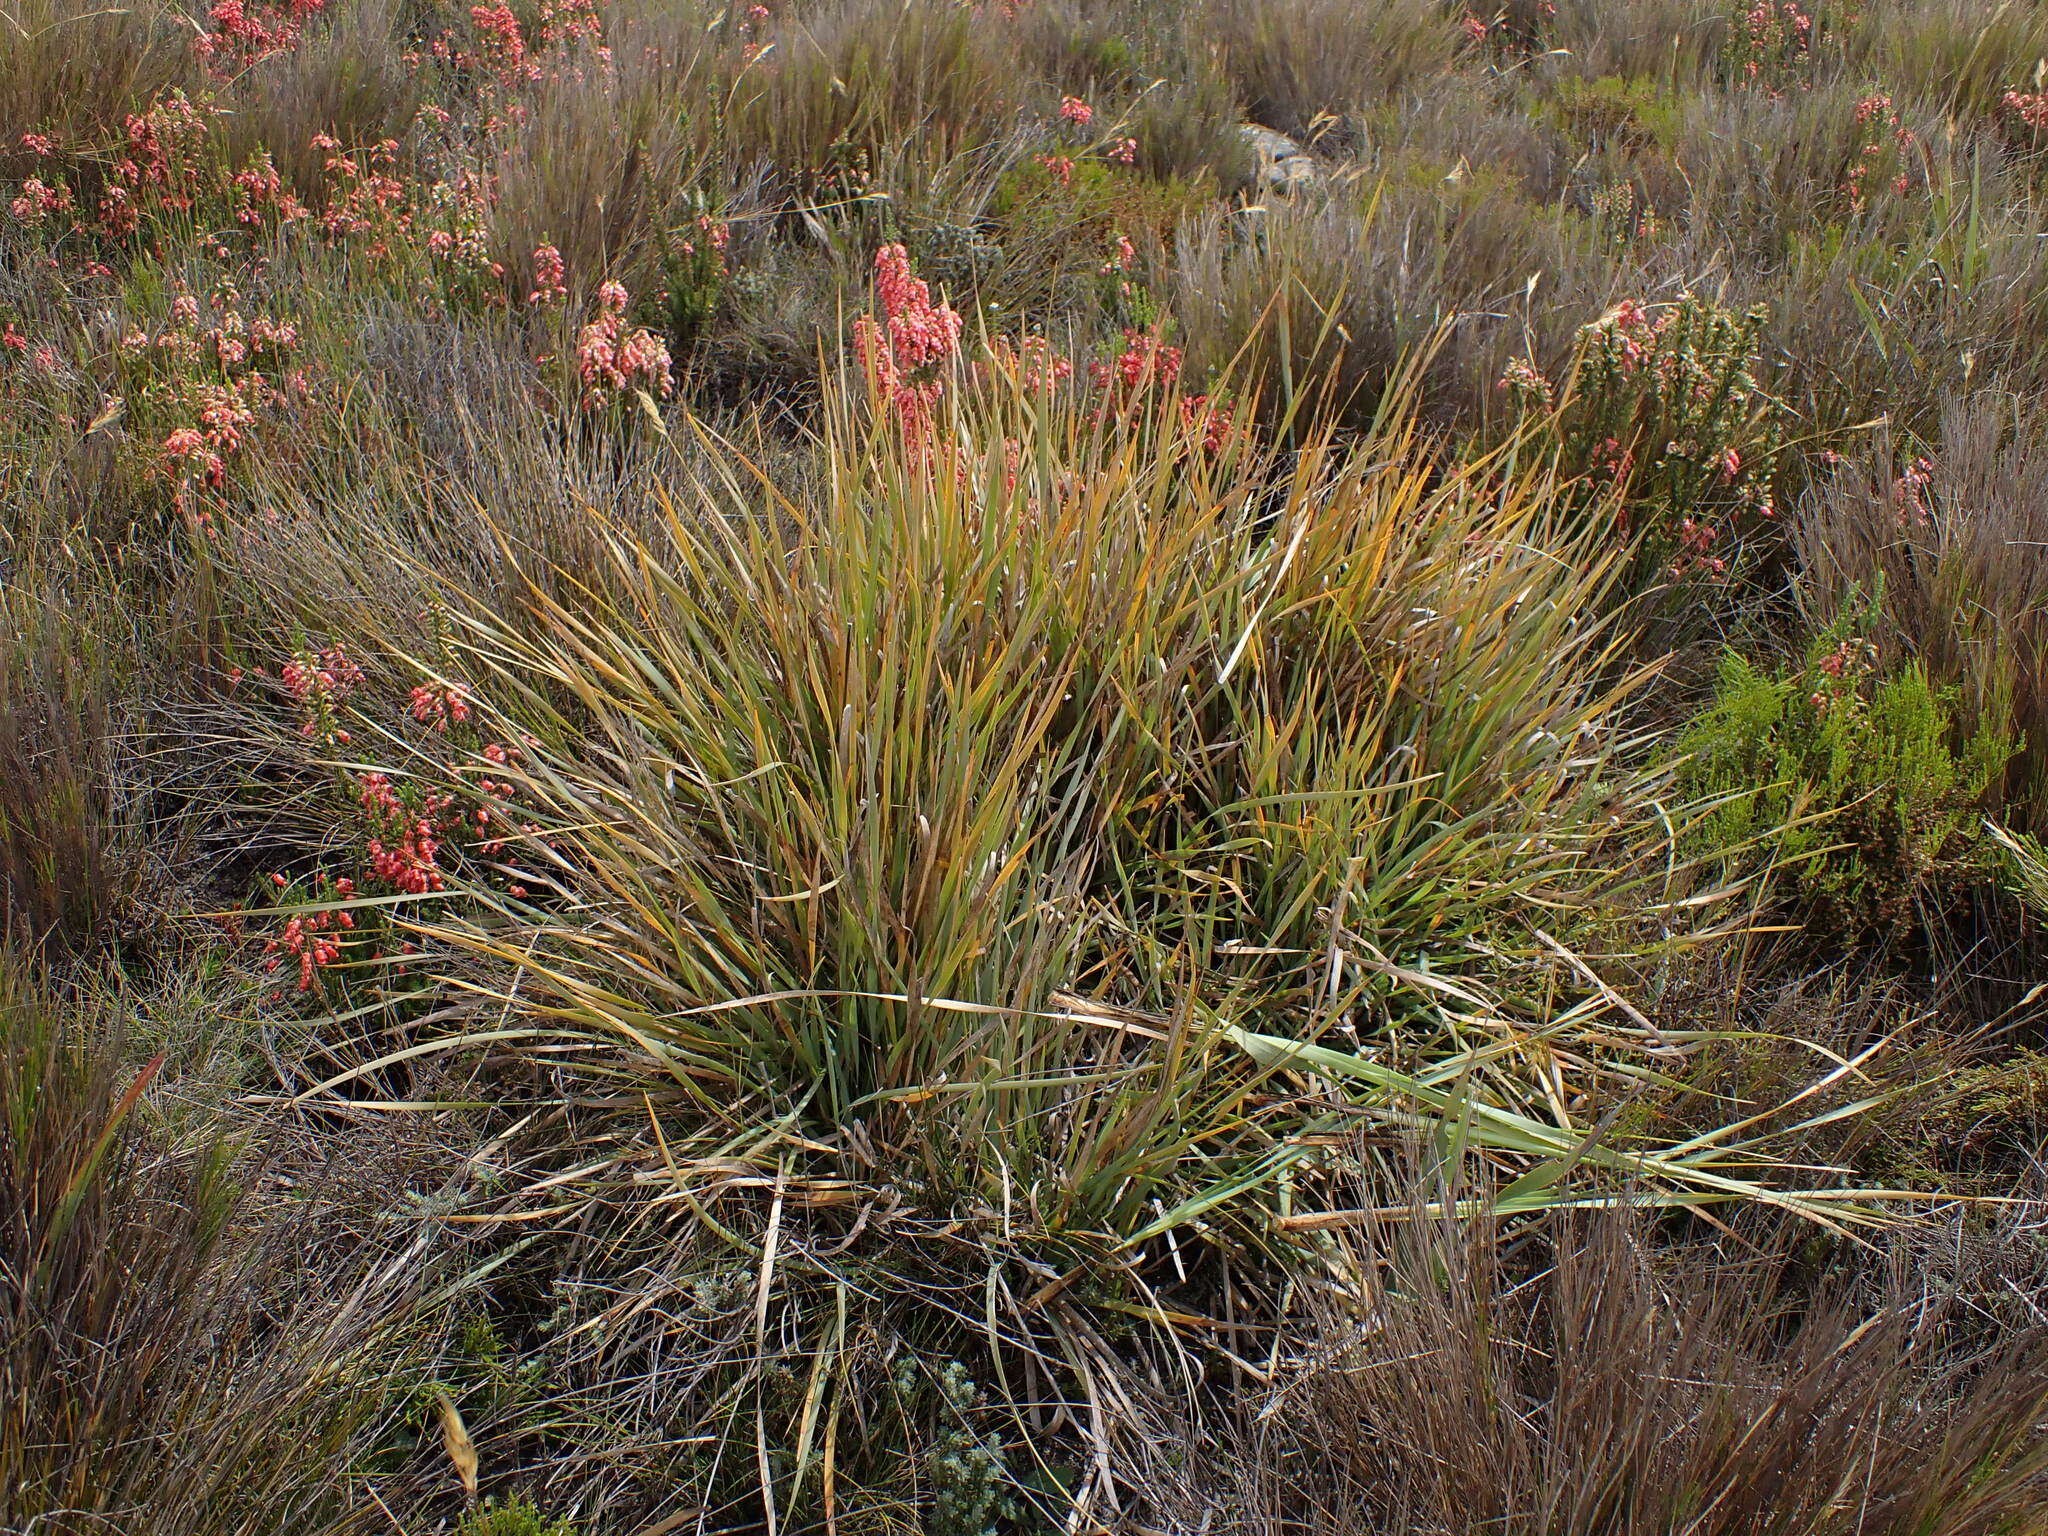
[(1666, 415)]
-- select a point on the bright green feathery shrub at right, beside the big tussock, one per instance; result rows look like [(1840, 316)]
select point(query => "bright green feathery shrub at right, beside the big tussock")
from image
[(1857, 775)]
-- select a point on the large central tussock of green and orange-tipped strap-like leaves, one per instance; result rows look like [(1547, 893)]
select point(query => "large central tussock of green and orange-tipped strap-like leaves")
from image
[(1031, 744)]
